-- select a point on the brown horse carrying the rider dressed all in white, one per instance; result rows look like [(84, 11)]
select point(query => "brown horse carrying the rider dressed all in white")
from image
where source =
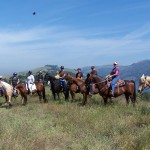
[(40, 90)]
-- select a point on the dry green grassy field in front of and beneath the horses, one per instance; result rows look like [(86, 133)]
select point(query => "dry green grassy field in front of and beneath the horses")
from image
[(61, 125)]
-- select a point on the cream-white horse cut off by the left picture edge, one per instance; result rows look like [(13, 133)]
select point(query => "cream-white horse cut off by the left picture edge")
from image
[(8, 93)]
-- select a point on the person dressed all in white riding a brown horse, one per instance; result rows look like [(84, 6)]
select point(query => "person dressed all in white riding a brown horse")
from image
[(30, 81)]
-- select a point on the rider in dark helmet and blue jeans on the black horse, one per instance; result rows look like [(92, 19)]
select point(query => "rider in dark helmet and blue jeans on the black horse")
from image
[(62, 74)]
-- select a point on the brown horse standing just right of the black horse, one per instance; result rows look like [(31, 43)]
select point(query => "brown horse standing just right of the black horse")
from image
[(76, 85)]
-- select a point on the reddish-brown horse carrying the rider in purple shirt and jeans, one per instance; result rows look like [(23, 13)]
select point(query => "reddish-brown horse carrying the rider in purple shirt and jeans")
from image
[(128, 89)]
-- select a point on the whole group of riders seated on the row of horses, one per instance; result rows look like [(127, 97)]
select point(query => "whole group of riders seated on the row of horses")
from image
[(30, 80)]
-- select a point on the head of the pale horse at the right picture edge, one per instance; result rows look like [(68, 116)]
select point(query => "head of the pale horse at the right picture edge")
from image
[(144, 82)]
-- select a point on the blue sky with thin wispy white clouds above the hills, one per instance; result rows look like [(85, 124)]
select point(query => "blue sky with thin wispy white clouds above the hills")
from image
[(73, 33)]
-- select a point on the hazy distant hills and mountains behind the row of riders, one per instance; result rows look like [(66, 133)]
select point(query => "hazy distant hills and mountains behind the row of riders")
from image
[(130, 72)]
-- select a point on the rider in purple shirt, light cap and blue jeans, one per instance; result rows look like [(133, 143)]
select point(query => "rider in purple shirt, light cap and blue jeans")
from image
[(115, 75)]
